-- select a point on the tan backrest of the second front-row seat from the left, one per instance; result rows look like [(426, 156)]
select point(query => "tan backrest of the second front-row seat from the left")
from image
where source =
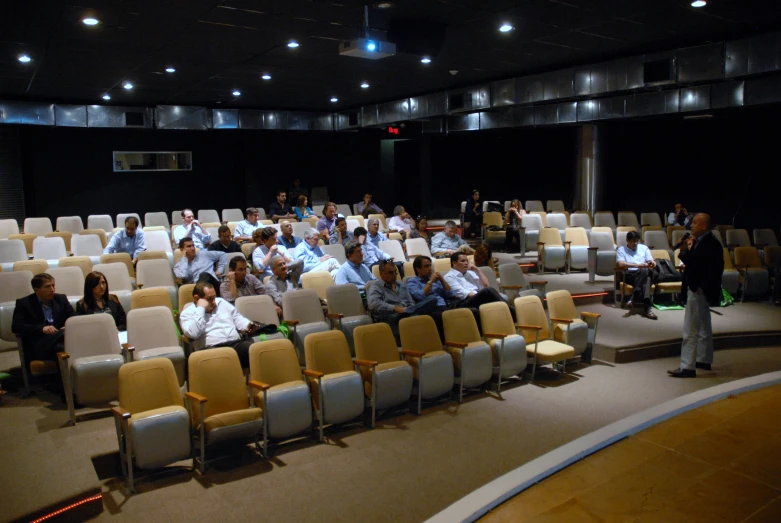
[(216, 373)]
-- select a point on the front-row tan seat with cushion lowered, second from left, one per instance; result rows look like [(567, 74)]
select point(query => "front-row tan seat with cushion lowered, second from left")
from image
[(220, 408)]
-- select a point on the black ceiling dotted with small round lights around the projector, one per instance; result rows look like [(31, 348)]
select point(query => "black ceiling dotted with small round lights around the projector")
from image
[(221, 46)]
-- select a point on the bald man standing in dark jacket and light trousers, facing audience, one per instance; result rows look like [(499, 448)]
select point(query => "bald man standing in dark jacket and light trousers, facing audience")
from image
[(703, 258)]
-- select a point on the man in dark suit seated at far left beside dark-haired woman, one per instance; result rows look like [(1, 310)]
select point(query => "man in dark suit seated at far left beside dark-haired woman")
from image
[(40, 319)]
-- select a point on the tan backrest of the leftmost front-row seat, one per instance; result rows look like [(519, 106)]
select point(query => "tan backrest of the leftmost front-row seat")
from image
[(147, 385)]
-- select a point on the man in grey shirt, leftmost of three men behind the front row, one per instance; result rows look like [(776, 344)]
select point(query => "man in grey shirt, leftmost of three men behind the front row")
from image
[(390, 301)]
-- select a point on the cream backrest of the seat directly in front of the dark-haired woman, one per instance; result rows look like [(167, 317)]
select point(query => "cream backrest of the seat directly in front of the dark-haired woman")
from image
[(91, 335)]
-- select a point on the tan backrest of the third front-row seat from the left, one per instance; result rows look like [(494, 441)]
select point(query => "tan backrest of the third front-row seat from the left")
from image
[(274, 362)]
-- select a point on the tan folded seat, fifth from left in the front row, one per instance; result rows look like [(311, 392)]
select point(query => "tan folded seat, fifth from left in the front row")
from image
[(387, 380)]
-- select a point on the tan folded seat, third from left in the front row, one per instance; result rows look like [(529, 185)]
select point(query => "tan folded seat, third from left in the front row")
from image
[(286, 404)]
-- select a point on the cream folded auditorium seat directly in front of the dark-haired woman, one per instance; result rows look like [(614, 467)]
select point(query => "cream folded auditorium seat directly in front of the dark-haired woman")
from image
[(90, 364)]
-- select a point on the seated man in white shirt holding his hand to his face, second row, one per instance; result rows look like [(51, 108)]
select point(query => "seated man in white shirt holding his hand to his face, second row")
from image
[(213, 322)]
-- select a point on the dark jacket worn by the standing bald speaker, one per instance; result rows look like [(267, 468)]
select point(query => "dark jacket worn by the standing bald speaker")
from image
[(704, 267)]
